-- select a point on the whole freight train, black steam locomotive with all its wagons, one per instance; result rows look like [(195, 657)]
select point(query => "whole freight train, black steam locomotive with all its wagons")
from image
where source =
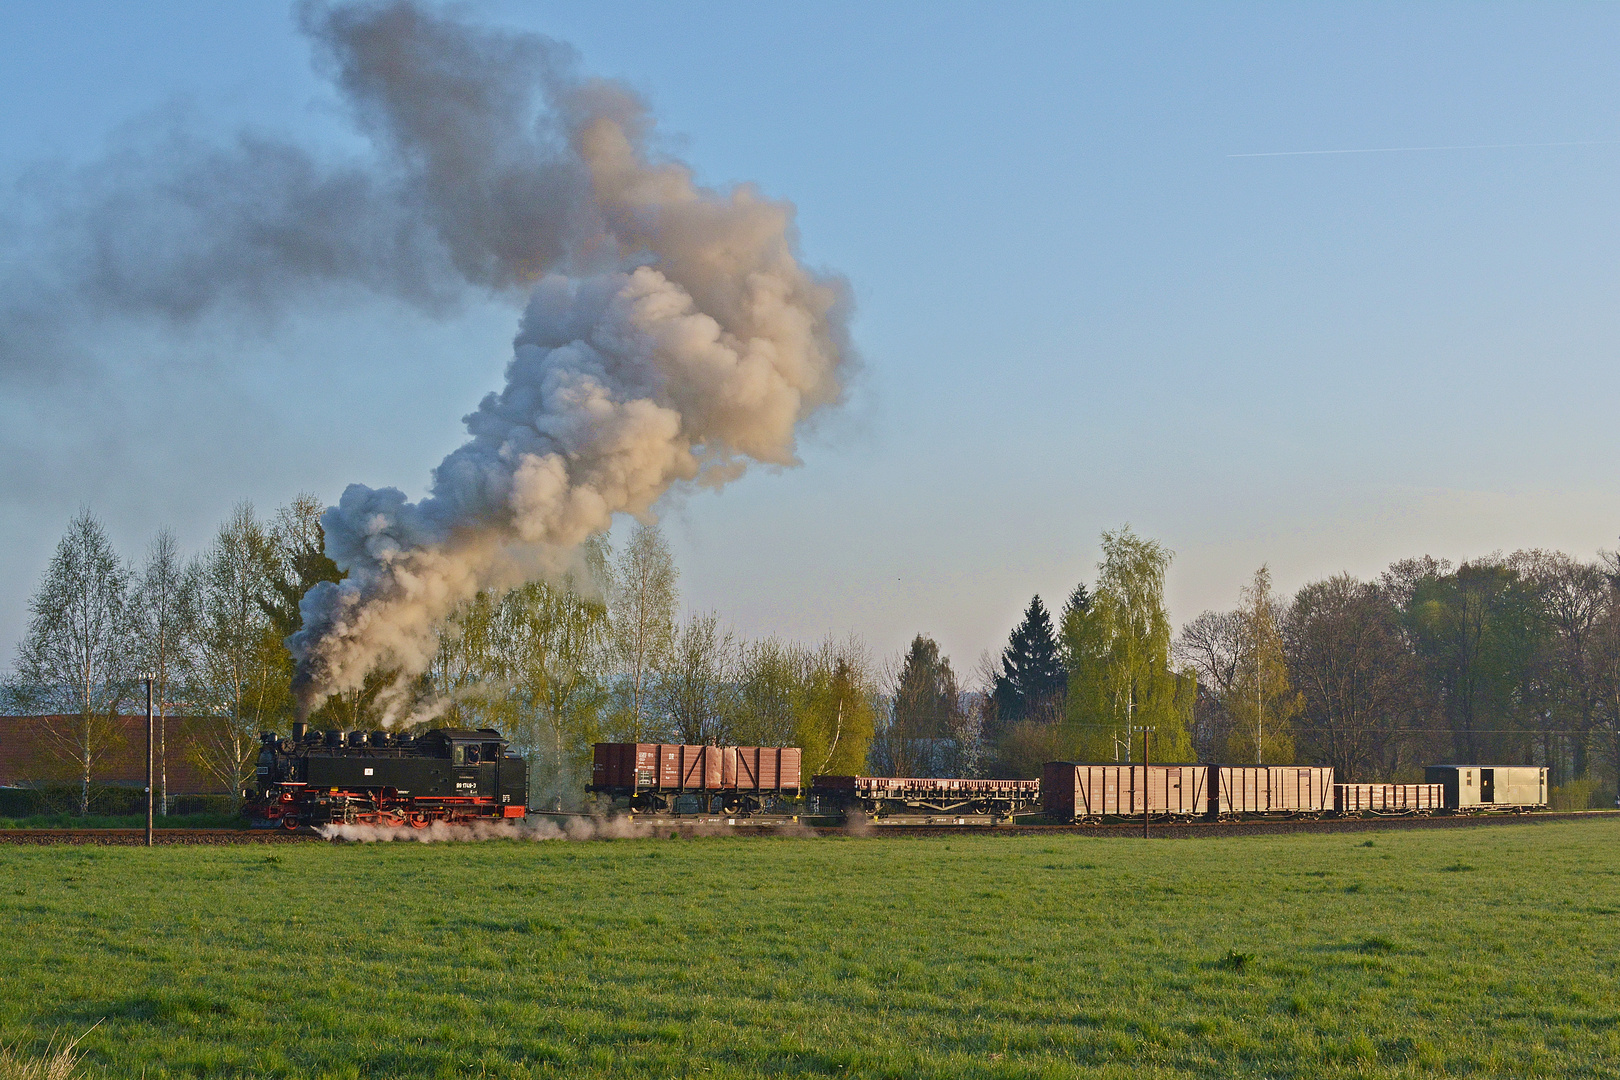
[(466, 776)]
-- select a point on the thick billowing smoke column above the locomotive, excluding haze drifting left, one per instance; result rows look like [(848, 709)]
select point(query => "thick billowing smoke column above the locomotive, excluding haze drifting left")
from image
[(670, 334)]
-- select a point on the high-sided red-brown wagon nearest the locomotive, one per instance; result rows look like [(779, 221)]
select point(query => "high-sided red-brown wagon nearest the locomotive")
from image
[(675, 778)]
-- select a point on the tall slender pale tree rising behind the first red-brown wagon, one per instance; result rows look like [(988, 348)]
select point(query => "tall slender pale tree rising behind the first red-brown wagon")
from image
[(644, 616)]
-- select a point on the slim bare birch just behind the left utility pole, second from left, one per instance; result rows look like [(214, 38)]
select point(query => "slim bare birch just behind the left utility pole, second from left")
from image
[(164, 619)]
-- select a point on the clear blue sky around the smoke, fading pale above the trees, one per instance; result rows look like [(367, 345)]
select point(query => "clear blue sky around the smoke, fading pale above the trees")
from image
[(1104, 276)]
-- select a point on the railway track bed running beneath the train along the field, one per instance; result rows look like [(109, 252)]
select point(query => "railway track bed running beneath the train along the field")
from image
[(1180, 830)]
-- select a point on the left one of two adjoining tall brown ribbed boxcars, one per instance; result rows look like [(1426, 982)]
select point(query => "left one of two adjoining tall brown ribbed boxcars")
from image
[(1089, 793)]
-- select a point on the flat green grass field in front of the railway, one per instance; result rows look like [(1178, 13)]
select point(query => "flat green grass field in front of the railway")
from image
[(1488, 953)]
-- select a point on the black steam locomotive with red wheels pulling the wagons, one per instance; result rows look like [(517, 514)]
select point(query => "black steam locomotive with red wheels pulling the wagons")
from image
[(386, 780)]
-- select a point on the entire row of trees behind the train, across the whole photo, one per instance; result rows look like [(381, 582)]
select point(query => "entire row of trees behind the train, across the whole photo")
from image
[(1512, 660)]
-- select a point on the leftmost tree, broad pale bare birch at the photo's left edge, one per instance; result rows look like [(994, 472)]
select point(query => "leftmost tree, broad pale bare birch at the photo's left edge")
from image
[(77, 660)]
